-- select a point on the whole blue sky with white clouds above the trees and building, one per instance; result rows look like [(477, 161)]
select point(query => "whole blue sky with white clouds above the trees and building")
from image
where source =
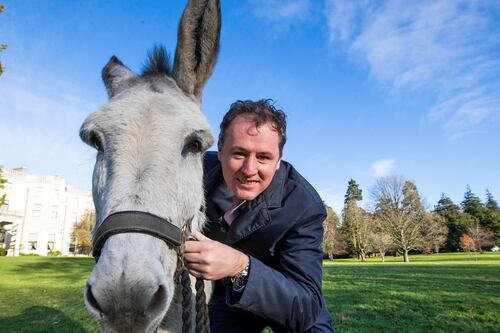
[(370, 87)]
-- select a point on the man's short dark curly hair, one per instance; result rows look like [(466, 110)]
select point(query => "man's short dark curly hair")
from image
[(262, 111)]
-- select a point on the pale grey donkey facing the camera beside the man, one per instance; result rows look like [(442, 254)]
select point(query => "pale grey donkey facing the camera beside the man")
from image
[(150, 138)]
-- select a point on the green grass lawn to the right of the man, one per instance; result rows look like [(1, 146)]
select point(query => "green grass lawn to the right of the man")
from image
[(438, 293)]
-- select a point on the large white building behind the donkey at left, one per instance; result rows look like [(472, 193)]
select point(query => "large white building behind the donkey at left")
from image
[(39, 213)]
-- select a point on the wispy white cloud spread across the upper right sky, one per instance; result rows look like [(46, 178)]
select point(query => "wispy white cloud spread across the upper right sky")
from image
[(447, 47)]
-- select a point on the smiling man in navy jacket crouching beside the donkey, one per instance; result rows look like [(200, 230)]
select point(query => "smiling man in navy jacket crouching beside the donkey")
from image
[(262, 242)]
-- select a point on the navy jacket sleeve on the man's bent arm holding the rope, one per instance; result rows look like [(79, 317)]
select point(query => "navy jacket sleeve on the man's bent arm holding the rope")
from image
[(290, 296)]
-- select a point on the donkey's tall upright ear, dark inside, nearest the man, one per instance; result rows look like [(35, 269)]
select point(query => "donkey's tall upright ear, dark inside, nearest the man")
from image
[(197, 45)]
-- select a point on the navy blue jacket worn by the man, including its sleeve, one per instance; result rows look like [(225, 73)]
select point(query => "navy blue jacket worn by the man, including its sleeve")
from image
[(281, 231)]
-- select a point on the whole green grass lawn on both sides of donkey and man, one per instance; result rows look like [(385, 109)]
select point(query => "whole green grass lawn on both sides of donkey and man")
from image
[(437, 293)]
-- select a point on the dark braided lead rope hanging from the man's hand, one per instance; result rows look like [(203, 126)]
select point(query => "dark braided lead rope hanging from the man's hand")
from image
[(182, 277)]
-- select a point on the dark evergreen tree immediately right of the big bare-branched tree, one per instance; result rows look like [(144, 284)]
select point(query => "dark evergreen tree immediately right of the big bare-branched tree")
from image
[(457, 223)]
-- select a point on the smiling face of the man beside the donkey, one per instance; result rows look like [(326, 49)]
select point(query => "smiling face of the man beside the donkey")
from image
[(249, 156)]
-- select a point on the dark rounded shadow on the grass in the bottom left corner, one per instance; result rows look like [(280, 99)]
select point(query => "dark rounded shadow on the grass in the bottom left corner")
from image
[(38, 319)]
